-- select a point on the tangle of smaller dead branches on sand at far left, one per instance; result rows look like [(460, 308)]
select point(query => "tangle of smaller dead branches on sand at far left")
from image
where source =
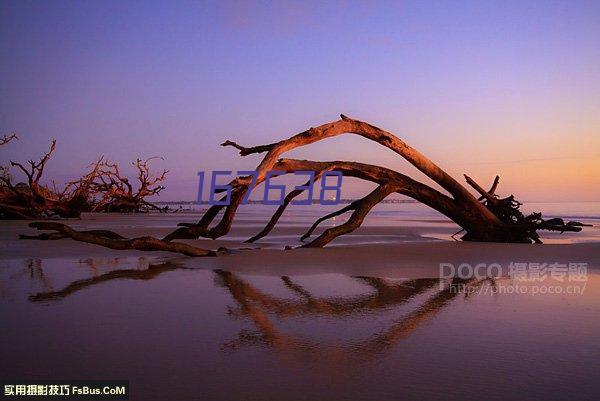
[(102, 189)]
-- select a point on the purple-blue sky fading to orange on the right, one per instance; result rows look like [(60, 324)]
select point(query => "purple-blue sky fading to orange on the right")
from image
[(484, 88)]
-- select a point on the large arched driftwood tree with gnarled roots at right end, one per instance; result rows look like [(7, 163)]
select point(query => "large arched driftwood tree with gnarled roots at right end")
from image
[(484, 217)]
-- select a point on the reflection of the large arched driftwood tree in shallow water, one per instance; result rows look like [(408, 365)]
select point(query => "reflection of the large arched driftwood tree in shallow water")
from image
[(257, 305)]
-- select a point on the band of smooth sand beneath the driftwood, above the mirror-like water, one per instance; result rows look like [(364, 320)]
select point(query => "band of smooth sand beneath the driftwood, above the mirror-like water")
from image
[(406, 250)]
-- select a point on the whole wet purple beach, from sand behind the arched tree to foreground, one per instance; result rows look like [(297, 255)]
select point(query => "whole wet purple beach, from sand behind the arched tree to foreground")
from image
[(364, 319)]
